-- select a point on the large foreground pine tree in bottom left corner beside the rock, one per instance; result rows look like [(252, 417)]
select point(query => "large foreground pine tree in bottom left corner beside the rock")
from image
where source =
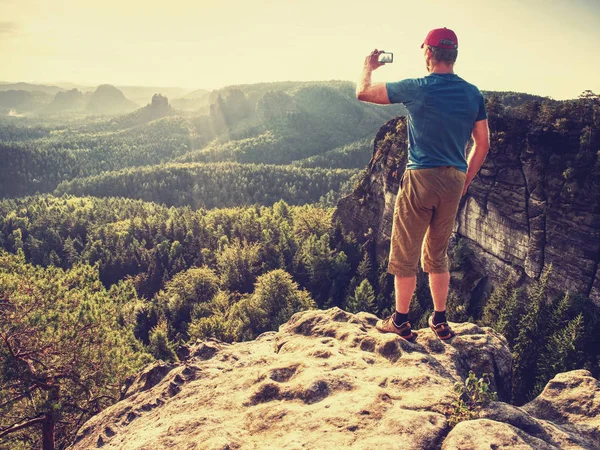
[(64, 351)]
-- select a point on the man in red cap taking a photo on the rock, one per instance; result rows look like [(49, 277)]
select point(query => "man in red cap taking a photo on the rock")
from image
[(444, 111)]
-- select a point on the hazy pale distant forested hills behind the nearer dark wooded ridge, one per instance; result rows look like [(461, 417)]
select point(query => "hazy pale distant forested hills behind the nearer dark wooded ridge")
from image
[(246, 124)]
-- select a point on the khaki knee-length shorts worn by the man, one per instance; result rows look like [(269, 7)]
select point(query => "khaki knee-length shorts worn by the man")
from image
[(426, 207)]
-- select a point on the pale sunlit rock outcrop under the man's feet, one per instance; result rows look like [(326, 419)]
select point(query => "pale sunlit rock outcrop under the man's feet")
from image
[(328, 380)]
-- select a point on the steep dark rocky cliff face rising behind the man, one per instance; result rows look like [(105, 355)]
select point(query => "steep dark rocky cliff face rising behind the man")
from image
[(520, 215)]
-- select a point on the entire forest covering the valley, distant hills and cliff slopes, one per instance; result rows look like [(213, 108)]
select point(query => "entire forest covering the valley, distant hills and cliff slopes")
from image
[(123, 238)]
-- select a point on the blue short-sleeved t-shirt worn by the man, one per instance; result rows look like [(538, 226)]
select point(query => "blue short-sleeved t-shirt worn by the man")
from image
[(442, 110)]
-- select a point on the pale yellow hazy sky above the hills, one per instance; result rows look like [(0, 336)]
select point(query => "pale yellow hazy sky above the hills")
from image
[(546, 47)]
